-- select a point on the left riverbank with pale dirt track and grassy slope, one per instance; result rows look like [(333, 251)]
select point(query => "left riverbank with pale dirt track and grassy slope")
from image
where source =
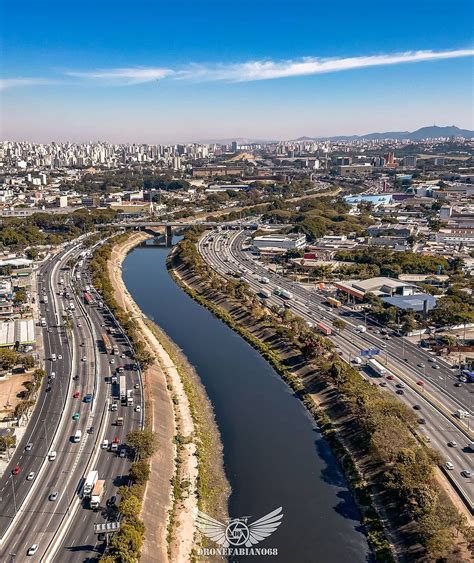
[(187, 470)]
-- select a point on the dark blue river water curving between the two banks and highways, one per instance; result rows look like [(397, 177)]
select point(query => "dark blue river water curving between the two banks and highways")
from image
[(274, 454)]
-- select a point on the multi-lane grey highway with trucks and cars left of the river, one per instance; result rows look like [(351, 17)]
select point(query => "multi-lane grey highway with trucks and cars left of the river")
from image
[(63, 529)]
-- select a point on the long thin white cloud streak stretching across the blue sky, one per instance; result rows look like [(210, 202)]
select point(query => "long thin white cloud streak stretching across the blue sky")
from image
[(243, 72)]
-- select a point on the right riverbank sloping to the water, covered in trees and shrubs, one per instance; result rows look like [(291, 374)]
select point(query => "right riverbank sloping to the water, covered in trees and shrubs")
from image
[(347, 410)]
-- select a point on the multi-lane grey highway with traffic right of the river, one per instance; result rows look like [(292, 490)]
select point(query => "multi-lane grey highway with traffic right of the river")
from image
[(435, 400)]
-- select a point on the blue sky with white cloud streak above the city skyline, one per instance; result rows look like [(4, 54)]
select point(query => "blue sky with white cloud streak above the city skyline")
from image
[(154, 71)]
